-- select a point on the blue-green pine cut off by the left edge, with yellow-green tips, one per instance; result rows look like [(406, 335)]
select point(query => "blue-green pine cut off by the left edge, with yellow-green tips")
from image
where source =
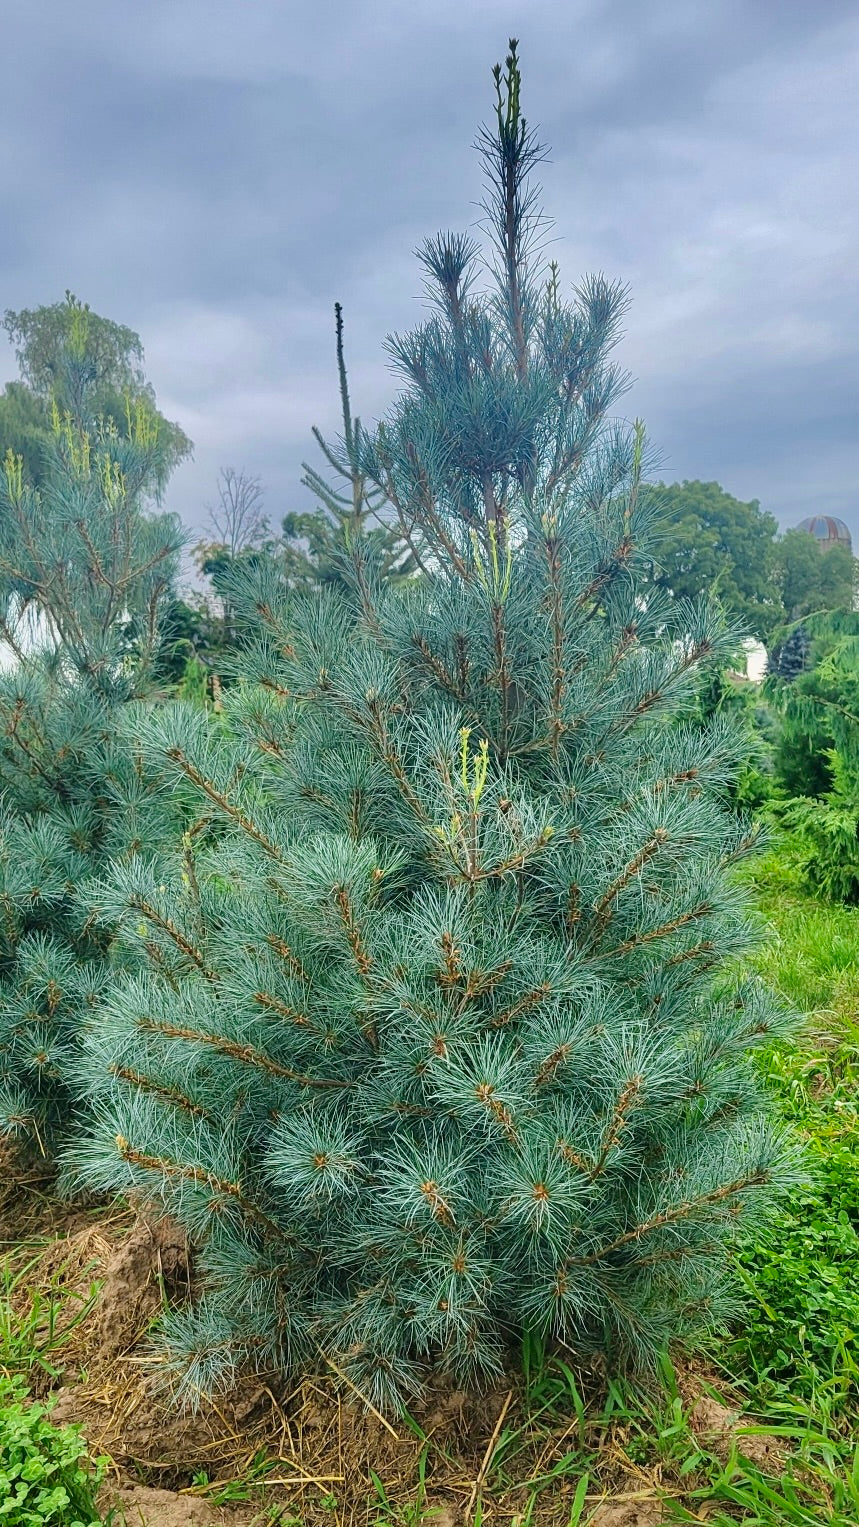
[(85, 573)]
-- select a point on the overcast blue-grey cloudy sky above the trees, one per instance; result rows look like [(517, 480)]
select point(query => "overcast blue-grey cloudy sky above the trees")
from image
[(216, 173)]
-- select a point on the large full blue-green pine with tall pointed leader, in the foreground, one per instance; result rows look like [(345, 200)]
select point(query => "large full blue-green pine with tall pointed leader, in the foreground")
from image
[(433, 1035)]
